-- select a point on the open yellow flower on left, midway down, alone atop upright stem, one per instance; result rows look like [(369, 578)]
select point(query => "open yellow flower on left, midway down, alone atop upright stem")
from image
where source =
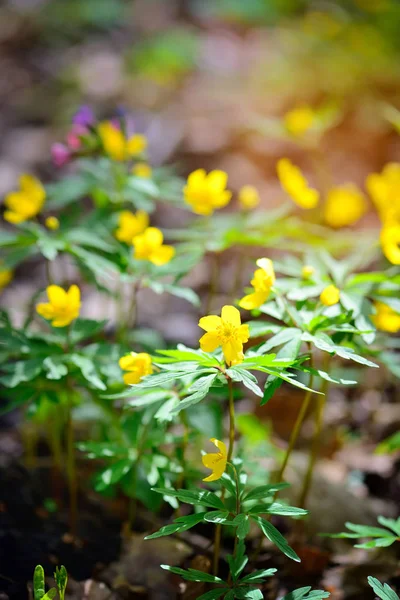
[(63, 307)]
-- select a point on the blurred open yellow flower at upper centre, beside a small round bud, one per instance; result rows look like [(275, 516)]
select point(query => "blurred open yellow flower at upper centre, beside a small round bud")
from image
[(206, 192)]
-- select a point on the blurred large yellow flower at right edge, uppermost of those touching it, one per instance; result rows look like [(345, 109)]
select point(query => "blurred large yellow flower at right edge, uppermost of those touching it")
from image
[(384, 189)]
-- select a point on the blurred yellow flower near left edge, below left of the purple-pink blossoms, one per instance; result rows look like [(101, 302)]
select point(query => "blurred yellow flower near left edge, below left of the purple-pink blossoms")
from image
[(27, 202)]
